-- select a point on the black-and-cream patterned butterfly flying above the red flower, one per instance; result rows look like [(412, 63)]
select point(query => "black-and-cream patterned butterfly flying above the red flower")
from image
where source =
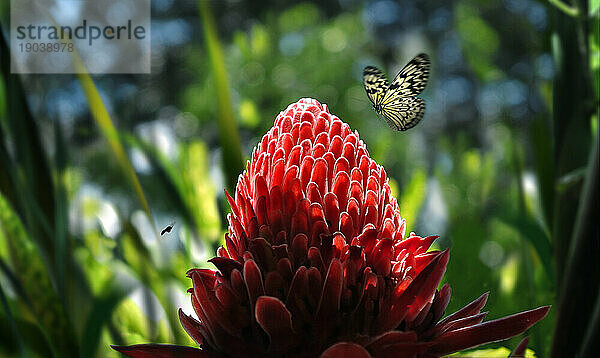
[(398, 102)]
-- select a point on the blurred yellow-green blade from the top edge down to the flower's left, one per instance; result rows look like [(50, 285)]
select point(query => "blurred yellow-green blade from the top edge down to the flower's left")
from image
[(228, 133)]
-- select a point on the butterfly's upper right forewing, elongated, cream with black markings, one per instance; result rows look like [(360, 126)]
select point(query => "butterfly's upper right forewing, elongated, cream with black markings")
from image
[(411, 80)]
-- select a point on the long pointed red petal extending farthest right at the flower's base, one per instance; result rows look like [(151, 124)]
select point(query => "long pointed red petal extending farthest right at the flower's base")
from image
[(486, 332)]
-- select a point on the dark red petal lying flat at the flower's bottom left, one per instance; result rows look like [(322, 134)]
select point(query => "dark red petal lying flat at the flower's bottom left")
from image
[(162, 351)]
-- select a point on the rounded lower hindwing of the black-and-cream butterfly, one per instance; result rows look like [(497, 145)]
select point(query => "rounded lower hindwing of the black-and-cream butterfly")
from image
[(403, 112)]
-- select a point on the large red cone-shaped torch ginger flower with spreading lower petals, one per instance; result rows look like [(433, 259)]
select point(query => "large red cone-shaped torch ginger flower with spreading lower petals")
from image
[(316, 262)]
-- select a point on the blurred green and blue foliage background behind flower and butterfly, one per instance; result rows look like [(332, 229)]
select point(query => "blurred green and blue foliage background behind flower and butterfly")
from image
[(92, 167)]
